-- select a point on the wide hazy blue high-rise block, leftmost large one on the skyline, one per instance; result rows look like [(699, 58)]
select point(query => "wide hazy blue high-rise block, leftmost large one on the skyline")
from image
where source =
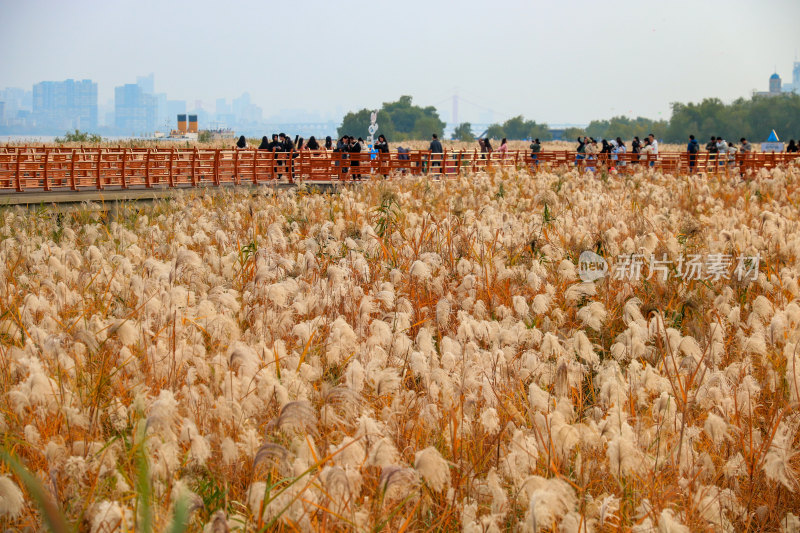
[(65, 104)]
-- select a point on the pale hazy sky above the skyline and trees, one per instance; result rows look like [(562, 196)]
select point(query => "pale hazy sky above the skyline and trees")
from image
[(559, 62)]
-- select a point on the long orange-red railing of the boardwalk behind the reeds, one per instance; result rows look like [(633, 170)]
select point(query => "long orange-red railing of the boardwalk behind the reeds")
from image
[(43, 168)]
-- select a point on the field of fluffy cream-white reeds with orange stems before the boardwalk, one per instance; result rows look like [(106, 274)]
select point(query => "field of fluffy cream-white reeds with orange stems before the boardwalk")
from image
[(407, 354)]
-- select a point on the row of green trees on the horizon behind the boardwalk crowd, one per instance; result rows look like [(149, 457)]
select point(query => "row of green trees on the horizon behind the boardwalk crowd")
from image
[(753, 118)]
